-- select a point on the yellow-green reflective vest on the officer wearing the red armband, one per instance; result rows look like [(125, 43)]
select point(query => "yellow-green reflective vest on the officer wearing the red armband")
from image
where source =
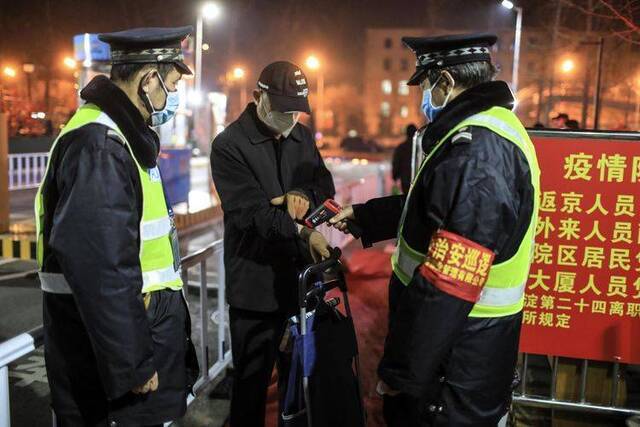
[(503, 293)]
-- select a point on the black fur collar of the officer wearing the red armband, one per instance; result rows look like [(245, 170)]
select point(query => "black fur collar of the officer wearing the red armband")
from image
[(472, 101)]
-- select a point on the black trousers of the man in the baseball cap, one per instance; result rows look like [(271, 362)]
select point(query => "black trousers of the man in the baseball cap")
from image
[(255, 341)]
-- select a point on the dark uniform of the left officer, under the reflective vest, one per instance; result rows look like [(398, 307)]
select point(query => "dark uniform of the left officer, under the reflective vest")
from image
[(100, 342)]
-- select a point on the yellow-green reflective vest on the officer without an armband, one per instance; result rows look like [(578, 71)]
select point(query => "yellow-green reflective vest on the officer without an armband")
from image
[(156, 254)]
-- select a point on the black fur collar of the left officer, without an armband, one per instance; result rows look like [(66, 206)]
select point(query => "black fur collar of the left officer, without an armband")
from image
[(116, 104)]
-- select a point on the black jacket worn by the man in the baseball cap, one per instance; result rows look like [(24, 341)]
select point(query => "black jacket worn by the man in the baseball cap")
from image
[(262, 250)]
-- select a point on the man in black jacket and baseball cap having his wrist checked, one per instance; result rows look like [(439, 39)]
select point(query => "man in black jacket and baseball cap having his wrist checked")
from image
[(269, 174)]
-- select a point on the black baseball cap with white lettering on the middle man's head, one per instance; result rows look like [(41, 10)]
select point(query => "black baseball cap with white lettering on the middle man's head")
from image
[(287, 87)]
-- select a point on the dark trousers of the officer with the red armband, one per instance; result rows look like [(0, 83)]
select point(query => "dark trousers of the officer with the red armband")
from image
[(472, 389)]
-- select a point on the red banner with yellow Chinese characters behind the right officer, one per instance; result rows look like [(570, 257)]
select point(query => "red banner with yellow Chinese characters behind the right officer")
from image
[(583, 295)]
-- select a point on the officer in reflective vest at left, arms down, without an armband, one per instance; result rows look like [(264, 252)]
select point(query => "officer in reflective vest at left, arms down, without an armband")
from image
[(117, 328)]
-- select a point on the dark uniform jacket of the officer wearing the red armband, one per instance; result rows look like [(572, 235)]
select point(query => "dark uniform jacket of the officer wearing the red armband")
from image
[(478, 187)]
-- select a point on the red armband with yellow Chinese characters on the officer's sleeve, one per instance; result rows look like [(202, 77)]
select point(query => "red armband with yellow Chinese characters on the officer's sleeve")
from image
[(457, 266)]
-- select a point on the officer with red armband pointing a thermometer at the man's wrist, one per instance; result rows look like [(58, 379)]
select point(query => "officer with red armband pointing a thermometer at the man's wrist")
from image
[(465, 238)]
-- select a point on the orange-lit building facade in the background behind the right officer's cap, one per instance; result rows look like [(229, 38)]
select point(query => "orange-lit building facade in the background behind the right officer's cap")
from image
[(551, 79)]
